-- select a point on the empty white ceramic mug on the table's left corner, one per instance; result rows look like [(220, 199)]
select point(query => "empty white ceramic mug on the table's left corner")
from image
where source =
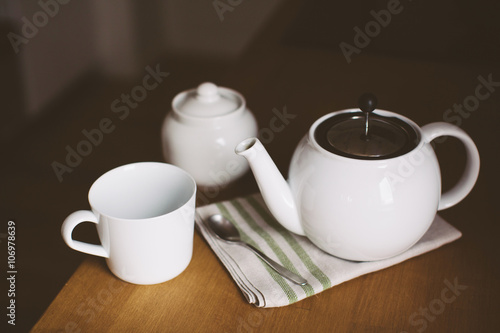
[(144, 215)]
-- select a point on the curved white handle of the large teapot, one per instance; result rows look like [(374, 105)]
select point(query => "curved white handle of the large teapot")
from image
[(471, 172)]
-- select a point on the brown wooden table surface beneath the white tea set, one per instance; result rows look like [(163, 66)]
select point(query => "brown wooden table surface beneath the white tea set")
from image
[(452, 289)]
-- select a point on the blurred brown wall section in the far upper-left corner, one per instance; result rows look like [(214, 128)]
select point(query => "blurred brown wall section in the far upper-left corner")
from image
[(45, 47)]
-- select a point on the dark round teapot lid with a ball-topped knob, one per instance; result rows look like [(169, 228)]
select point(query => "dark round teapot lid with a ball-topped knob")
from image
[(366, 135)]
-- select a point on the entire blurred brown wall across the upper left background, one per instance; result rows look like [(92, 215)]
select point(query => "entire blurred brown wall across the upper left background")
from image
[(51, 44)]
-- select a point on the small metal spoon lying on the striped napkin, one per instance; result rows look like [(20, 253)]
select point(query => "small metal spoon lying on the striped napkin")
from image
[(226, 231)]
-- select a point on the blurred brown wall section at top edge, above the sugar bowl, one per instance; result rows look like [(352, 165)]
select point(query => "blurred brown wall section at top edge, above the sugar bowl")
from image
[(214, 28)]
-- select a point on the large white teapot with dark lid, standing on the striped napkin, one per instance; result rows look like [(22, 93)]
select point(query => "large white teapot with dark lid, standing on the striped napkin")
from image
[(363, 185)]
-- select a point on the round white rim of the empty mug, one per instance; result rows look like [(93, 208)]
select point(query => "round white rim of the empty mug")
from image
[(134, 165)]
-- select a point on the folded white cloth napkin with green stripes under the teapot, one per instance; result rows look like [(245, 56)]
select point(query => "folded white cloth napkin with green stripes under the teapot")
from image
[(261, 285)]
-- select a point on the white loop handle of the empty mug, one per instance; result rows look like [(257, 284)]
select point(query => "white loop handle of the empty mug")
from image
[(69, 225)]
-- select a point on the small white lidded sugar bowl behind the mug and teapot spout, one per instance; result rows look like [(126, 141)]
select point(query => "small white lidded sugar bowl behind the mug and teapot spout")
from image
[(200, 132)]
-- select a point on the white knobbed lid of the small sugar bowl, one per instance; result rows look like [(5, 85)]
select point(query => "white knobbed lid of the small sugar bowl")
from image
[(207, 100)]
